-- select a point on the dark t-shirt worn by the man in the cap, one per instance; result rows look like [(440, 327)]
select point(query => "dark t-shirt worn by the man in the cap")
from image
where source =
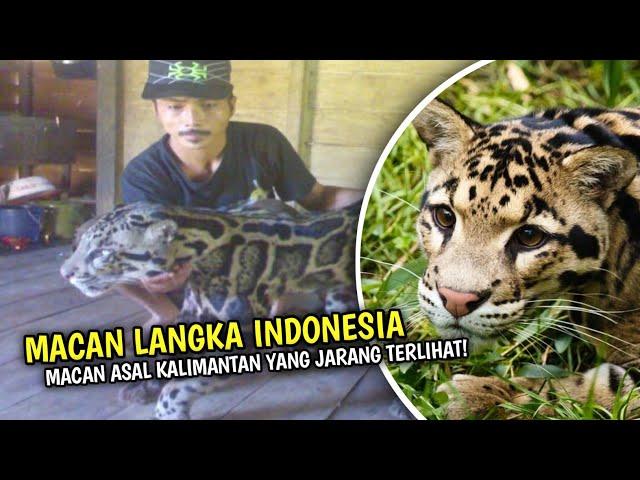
[(255, 156)]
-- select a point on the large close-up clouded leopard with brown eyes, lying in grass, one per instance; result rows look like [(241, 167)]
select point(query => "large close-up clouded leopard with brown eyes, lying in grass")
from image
[(518, 214)]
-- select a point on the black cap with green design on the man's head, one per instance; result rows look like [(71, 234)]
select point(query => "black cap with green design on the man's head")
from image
[(188, 78)]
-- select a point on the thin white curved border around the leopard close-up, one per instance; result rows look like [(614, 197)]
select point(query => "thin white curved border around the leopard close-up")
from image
[(365, 203)]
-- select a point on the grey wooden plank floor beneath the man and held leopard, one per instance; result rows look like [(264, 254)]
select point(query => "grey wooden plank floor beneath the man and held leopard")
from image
[(35, 299)]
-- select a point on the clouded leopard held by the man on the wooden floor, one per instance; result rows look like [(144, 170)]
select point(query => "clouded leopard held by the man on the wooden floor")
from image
[(246, 260)]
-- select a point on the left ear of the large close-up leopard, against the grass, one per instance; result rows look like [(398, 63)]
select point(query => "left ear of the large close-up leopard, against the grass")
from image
[(445, 131)]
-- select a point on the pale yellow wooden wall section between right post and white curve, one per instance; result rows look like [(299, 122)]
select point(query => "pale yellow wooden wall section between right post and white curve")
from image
[(359, 105)]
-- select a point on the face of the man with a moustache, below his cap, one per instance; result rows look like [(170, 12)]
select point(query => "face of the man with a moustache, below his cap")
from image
[(194, 123)]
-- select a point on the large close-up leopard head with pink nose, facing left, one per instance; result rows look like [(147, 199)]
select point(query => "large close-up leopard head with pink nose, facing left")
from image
[(513, 212)]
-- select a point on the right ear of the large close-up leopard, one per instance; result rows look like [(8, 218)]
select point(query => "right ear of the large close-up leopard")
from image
[(600, 171)]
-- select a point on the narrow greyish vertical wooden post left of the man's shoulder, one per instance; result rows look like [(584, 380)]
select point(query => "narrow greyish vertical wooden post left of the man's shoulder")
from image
[(107, 167)]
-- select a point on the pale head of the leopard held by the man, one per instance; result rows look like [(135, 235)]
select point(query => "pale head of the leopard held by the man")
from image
[(126, 245)]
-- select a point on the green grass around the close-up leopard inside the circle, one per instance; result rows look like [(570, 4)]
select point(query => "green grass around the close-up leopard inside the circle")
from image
[(391, 258)]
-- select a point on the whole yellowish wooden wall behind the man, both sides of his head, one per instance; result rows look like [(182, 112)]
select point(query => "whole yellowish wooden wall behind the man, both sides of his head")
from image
[(338, 114)]
